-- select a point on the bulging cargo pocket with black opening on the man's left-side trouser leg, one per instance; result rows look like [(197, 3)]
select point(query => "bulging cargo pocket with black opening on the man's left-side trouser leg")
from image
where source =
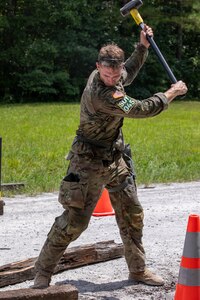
[(72, 191)]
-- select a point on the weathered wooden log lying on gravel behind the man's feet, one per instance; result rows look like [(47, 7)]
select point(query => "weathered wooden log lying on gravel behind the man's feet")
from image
[(74, 257)]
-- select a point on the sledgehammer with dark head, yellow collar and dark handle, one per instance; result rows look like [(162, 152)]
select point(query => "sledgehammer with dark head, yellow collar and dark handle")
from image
[(132, 8)]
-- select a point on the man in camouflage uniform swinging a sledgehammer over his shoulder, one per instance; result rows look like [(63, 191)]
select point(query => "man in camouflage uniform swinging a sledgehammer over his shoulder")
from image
[(99, 158)]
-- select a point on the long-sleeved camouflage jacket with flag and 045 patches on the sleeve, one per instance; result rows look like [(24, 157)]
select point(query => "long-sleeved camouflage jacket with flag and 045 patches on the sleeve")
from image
[(103, 109)]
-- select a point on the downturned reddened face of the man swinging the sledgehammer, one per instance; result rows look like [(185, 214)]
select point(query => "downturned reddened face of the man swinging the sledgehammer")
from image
[(108, 75)]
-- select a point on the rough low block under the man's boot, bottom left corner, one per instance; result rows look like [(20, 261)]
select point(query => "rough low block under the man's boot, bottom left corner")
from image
[(54, 292)]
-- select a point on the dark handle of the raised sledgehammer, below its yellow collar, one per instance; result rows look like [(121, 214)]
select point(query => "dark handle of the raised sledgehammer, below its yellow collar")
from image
[(160, 56)]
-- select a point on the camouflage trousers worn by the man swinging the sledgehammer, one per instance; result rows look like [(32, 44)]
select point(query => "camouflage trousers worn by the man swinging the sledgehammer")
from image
[(79, 193)]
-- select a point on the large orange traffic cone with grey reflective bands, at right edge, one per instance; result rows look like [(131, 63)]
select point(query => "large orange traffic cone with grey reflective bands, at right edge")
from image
[(188, 287)]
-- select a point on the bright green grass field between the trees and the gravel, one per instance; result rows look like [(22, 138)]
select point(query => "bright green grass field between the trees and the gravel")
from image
[(36, 138)]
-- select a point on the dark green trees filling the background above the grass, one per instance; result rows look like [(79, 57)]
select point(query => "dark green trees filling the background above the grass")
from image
[(48, 47)]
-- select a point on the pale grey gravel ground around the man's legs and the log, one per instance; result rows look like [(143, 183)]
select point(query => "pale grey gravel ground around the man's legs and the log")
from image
[(27, 220)]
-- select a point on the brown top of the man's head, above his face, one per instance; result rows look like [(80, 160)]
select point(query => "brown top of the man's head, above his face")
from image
[(111, 55)]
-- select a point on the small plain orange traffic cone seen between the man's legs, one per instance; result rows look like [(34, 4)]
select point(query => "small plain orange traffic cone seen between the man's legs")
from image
[(103, 207)]
